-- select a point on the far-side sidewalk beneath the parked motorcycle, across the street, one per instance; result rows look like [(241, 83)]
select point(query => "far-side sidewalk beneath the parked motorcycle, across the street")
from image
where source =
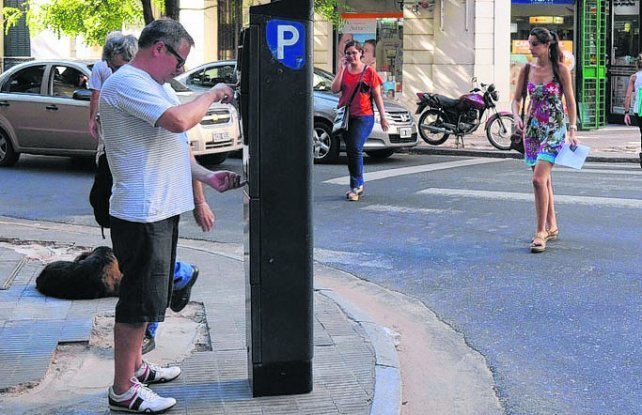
[(613, 143)]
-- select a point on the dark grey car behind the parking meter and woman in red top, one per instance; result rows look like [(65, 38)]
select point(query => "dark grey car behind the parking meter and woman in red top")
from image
[(326, 146)]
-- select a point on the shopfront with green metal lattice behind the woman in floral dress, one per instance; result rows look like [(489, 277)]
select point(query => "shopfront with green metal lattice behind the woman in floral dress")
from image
[(600, 48)]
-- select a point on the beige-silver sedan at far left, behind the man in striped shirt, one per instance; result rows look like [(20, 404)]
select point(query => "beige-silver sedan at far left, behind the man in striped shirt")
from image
[(44, 109)]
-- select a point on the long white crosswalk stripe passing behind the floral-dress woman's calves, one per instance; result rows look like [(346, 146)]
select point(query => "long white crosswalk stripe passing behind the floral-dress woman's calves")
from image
[(578, 200)]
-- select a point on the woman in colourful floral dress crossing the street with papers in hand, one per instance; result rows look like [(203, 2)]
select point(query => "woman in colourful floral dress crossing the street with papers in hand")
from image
[(548, 81)]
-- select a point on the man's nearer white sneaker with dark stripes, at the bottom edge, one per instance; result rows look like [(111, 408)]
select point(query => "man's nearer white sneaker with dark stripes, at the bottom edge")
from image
[(139, 399)]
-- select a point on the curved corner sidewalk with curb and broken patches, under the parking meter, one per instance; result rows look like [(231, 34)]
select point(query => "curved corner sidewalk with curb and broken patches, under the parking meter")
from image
[(52, 360)]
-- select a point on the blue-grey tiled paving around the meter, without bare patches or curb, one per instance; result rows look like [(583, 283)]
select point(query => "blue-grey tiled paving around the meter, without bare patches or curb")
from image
[(212, 382)]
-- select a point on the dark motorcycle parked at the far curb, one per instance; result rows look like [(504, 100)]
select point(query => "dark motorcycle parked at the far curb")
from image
[(442, 116)]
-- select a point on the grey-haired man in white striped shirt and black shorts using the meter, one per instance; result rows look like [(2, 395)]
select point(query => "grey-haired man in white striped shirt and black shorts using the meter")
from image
[(144, 128)]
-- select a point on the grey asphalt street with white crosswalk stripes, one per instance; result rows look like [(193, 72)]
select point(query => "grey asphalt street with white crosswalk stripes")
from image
[(561, 330)]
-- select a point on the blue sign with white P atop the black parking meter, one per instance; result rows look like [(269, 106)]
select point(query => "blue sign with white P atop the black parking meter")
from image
[(286, 40)]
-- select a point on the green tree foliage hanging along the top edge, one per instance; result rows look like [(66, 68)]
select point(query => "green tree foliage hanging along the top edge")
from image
[(92, 20)]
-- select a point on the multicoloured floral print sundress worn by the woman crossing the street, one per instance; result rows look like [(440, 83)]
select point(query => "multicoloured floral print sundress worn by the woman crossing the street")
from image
[(546, 126)]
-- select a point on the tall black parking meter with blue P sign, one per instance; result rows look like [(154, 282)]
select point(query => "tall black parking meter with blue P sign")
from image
[(275, 64)]
